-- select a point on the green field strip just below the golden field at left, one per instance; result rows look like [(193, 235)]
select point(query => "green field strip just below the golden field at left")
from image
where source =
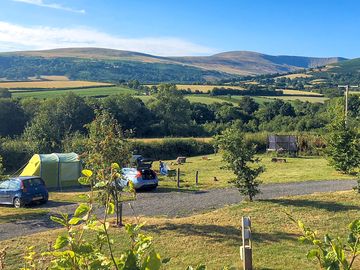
[(85, 92)]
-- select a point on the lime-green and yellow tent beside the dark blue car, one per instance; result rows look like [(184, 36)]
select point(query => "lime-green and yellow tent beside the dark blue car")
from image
[(57, 170)]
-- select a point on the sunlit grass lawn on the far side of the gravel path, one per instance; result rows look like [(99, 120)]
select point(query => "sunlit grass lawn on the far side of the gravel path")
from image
[(296, 169)]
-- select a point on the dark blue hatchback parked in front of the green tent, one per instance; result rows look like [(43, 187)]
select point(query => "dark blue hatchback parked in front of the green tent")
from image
[(23, 190)]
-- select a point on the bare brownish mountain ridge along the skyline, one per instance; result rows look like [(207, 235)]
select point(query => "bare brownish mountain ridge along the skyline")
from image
[(234, 62)]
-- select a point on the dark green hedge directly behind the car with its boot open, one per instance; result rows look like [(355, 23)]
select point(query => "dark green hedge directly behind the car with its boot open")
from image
[(172, 148)]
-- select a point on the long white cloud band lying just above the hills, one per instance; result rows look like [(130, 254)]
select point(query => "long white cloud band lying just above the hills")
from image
[(16, 37)]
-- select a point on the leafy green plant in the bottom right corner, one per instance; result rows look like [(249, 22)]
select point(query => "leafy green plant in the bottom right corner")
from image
[(332, 253)]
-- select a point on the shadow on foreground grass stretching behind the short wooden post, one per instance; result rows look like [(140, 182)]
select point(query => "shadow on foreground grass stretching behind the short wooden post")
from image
[(217, 233)]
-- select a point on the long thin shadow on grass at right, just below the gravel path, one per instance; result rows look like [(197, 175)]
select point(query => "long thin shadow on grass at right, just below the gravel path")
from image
[(322, 205)]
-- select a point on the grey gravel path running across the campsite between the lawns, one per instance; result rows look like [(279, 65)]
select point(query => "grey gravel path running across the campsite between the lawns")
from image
[(175, 204)]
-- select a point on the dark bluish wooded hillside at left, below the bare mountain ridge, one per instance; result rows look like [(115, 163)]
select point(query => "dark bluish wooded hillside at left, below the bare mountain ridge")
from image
[(22, 67)]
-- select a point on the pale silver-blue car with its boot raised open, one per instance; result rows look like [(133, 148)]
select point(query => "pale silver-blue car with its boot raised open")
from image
[(142, 176)]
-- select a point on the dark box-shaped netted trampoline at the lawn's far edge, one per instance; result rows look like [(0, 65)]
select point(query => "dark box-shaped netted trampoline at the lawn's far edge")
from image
[(287, 143)]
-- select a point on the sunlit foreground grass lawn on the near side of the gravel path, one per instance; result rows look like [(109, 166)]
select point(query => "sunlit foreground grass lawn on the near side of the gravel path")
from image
[(214, 237)]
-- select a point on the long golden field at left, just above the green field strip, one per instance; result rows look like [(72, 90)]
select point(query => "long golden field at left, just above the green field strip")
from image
[(50, 84)]
